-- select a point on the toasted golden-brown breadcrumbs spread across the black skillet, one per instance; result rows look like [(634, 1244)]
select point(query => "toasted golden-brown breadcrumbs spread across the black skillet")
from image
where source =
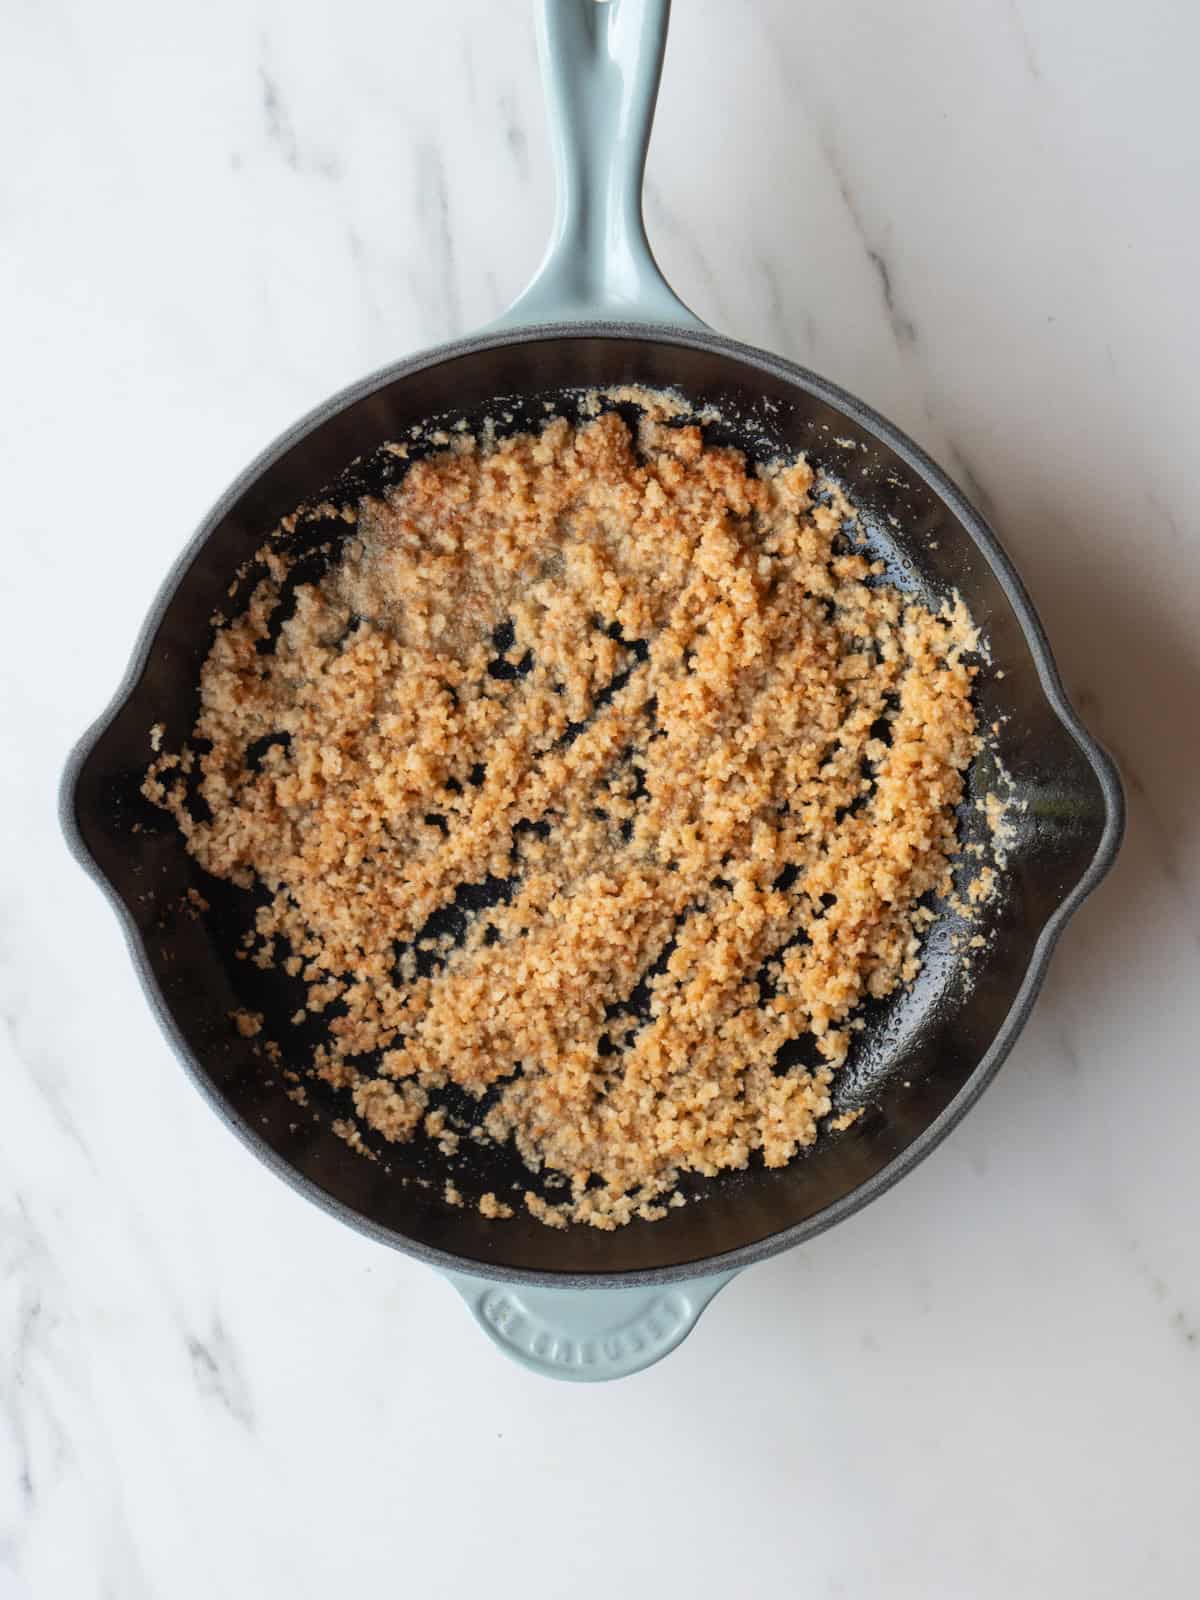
[(662, 710)]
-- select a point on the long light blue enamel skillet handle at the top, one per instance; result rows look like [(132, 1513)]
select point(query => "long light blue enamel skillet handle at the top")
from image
[(601, 68)]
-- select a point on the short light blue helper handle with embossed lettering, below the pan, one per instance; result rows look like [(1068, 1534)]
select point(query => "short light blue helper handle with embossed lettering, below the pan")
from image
[(588, 1335)]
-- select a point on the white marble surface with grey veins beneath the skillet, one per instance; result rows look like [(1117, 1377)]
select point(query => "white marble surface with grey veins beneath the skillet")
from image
[(982, 218)]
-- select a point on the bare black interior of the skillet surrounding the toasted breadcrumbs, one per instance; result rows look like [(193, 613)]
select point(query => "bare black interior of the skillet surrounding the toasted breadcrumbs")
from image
[(921, 1050)]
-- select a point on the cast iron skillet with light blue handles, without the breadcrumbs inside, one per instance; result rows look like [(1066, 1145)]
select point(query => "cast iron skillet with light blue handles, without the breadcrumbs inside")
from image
[(582, 1303)]
